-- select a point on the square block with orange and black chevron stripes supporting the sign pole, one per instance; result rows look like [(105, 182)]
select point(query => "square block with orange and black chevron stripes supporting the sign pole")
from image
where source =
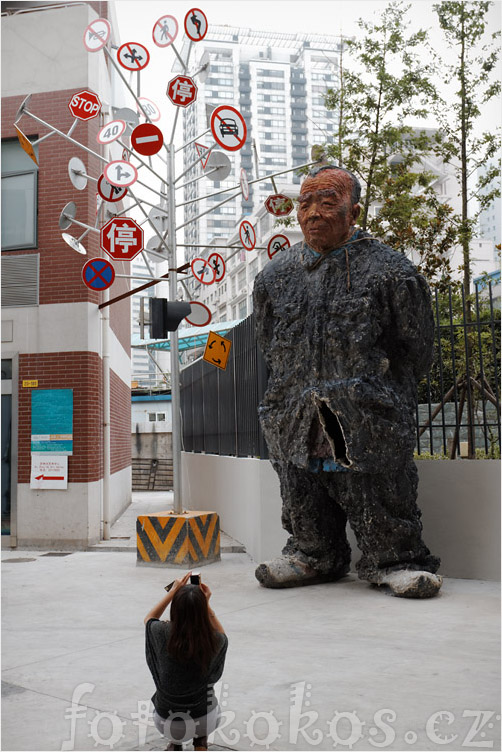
[(186, 540)]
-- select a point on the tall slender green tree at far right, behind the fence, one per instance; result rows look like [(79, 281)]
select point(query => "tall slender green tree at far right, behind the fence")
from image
[(472, 83)]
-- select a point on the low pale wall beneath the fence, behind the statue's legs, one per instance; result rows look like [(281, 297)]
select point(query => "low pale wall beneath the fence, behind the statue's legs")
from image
[(460, 503)]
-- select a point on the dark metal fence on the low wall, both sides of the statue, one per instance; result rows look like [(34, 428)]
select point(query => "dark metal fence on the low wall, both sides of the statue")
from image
[(458, 406)]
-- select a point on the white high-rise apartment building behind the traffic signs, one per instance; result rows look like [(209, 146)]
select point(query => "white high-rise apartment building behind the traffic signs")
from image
[(277, 81)]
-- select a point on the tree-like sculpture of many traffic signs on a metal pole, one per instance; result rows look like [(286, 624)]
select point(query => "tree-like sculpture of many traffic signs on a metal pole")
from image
[(121, 237)]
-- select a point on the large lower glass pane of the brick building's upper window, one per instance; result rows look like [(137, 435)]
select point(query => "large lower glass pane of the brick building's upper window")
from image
[(18, 211)]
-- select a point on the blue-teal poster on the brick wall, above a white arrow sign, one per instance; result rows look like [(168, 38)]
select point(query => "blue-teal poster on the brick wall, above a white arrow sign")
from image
[(52, 421)]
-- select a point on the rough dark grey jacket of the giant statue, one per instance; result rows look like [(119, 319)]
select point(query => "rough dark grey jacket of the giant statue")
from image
[(353, 330)]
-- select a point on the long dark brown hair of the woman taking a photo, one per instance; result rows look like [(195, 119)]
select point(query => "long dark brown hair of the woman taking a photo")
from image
[(192, 636)]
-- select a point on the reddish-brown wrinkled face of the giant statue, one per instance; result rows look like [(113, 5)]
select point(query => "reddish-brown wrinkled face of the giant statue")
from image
[(325, 211)]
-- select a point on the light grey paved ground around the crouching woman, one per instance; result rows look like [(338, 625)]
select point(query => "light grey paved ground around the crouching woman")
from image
[(351, 666)]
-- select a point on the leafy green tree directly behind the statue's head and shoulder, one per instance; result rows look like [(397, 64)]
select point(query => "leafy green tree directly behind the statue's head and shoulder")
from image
[(374, 142)]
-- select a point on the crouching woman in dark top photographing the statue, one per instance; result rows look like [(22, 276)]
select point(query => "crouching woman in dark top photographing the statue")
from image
[(186, 656)]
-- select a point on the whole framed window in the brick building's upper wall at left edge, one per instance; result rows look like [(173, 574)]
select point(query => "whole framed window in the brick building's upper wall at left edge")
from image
[(19, 198)]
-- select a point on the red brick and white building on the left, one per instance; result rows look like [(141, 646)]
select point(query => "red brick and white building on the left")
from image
[(53, 335)]
